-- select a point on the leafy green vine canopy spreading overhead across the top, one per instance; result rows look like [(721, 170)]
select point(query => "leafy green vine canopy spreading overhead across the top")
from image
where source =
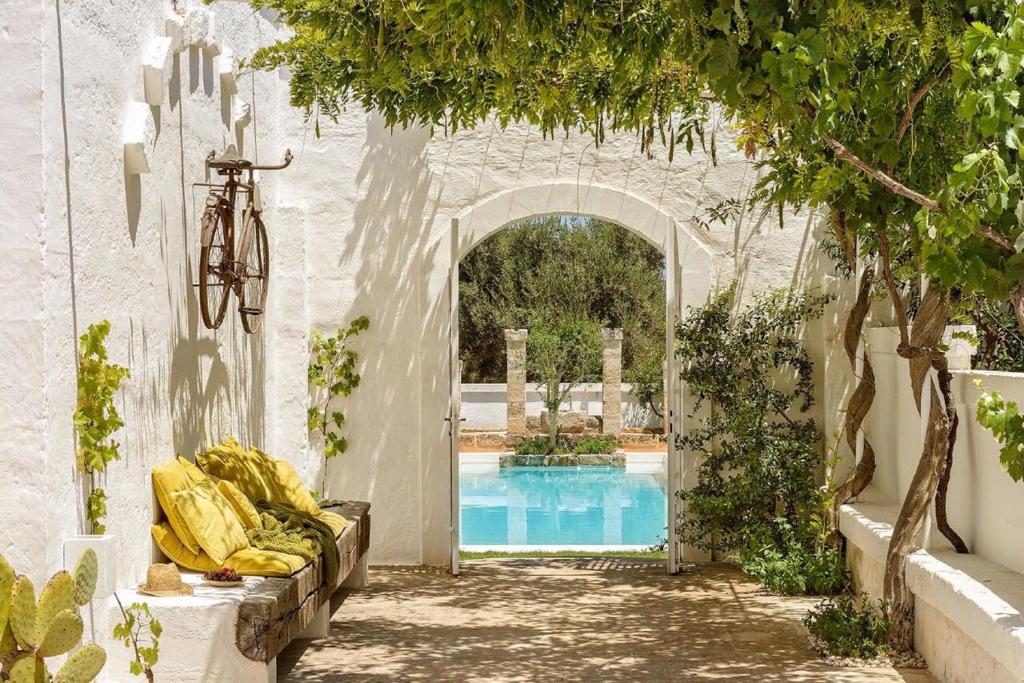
[(903, 114)]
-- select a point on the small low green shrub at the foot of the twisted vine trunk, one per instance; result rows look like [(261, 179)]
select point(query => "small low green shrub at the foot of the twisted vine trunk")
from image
[(850, 626)]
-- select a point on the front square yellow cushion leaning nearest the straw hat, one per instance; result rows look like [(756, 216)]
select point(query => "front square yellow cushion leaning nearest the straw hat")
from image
[(211, 520)]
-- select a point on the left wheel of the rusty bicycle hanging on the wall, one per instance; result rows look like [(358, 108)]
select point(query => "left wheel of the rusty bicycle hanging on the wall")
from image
[(216, 263)]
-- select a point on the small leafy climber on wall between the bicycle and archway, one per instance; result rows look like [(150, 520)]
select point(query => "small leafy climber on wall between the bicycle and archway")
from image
[(332, 373)]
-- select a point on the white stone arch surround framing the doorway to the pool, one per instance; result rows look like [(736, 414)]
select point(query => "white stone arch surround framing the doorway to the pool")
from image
[(689, 261)]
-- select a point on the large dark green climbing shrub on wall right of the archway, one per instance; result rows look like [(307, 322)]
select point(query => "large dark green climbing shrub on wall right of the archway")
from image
[(759, 451)]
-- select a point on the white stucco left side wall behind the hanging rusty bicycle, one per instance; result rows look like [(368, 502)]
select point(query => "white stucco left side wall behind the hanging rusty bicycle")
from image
[(87, 242)]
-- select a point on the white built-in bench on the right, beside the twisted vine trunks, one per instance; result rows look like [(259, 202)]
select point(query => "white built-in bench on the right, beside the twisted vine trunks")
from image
[(970, 611)]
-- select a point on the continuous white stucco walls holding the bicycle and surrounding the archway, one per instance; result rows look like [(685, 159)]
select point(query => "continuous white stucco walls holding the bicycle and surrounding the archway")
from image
[(359, 226)]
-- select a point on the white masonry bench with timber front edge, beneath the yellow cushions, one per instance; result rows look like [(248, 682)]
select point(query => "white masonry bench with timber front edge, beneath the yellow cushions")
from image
[(236, 634)]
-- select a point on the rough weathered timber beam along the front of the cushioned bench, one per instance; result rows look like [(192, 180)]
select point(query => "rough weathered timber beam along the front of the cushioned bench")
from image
[(280, 610)]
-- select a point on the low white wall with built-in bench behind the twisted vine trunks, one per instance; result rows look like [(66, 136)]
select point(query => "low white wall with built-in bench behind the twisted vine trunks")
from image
[(970, 609)]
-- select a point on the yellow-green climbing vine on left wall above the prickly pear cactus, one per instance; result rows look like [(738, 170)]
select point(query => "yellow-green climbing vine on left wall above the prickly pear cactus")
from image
[(97, 417)]
